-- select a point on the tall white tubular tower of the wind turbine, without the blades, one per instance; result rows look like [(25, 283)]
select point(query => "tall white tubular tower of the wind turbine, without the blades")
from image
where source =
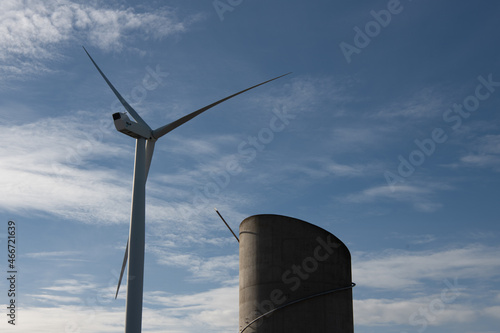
[(135, 274)]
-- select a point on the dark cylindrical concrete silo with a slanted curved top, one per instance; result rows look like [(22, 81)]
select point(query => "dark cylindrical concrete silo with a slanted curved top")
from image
[(299, 271)]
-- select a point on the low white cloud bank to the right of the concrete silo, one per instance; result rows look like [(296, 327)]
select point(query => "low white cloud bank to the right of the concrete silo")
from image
[(436, 285)]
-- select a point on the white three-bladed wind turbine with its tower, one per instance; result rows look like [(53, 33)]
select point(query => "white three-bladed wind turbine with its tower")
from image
[(145, 143)]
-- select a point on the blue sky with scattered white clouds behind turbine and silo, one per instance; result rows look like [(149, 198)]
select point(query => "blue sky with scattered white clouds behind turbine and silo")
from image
[(387, 134)]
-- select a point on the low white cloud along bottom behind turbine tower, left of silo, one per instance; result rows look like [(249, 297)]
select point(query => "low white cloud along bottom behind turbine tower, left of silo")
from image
[(213, 311)]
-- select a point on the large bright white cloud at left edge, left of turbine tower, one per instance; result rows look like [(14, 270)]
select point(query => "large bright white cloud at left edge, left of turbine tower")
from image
[(45, 168)]
